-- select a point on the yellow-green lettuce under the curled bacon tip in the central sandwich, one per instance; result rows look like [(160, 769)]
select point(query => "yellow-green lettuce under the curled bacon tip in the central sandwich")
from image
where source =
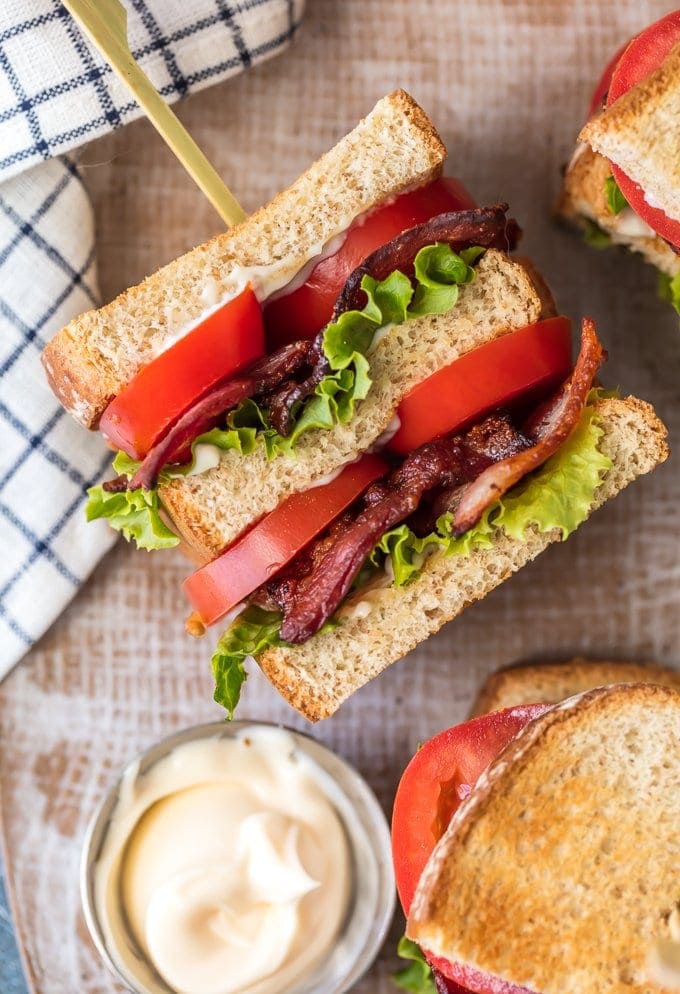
[(558, 495)]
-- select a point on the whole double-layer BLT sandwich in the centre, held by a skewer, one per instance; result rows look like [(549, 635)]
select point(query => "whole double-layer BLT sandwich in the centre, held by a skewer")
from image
[(356, 408)]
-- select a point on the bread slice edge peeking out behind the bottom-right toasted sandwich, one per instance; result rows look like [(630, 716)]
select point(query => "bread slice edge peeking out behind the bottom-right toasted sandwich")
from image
[(549, 683)]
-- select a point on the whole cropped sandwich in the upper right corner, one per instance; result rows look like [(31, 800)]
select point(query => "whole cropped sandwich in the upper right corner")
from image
[(623, 182)]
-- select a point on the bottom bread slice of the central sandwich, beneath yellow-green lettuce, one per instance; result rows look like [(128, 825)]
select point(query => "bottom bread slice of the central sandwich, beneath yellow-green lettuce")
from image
[(318, 676)]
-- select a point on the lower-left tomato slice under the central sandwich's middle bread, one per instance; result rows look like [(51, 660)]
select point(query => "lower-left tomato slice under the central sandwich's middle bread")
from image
[(255, 557)]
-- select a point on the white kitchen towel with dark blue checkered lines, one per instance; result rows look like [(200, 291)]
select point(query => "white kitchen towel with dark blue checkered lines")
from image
[(56, 93)]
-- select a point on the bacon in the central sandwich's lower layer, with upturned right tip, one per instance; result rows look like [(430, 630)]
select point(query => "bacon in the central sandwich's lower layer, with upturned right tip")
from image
[(465, 473)]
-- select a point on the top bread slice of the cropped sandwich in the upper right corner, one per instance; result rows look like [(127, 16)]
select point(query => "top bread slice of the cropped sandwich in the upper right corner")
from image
[(640, 132)]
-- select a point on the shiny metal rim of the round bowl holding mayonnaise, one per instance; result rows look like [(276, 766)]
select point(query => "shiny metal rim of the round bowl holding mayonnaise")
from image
[(358, 794)]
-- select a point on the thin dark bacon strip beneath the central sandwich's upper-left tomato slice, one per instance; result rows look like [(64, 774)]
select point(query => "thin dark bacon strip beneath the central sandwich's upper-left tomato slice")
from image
[(263, 376)]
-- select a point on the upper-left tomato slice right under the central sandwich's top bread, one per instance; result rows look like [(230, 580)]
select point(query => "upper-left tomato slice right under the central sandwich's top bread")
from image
[(227, 341)]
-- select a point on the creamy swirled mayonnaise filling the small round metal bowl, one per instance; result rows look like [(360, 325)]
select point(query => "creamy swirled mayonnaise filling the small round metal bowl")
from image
[(227, 866)]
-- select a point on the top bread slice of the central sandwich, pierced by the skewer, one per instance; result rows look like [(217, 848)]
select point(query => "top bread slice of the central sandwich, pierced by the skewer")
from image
[(394, 148)]
